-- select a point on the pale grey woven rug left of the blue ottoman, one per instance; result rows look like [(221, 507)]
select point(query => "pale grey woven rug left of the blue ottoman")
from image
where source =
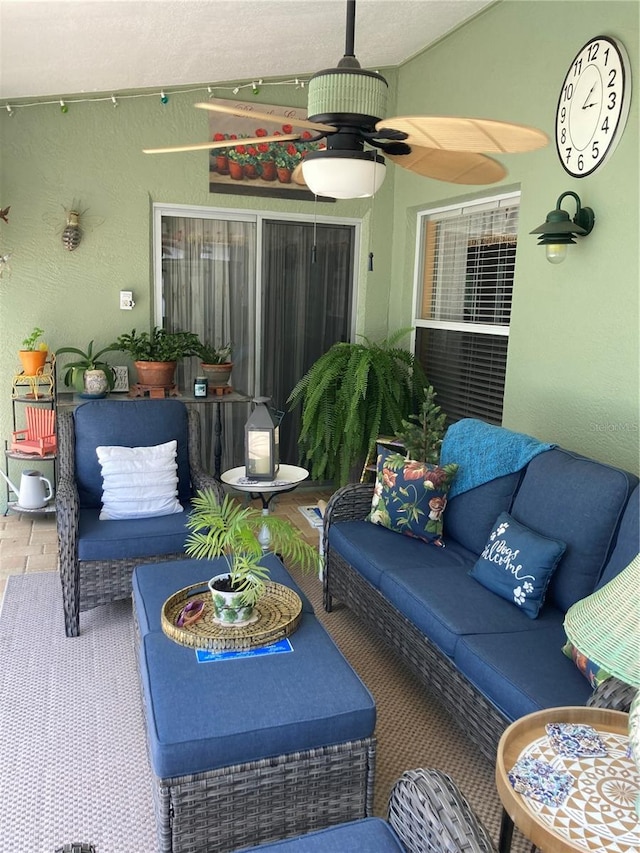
[(72, 748)]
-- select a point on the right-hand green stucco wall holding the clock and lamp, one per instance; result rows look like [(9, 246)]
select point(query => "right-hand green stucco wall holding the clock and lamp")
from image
[(572, 374)]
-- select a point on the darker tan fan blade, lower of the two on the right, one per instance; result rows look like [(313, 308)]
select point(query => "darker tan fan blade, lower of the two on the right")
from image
[(456, 167)]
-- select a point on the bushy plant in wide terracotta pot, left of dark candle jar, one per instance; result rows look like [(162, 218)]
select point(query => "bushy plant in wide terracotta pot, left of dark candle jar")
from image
[(156, 353)]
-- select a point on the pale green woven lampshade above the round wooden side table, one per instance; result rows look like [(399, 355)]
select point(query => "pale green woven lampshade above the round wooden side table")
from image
[(605, 626)]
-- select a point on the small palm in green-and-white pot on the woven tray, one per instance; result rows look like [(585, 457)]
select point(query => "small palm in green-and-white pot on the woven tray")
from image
[(227, 529)]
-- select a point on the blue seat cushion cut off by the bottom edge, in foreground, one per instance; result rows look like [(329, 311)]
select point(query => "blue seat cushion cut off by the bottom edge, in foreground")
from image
[(369, 835)]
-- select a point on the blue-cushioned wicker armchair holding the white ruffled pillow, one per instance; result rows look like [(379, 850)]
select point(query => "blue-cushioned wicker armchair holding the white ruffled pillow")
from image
[(97, 557)]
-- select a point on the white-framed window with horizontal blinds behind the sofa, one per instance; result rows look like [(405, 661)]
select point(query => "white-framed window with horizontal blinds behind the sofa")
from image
[(465, 282)]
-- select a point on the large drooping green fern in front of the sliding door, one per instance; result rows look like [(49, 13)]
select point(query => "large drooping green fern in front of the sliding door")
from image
[(351, 395)]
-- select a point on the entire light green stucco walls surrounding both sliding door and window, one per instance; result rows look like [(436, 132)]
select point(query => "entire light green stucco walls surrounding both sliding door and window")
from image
[(573, 357)]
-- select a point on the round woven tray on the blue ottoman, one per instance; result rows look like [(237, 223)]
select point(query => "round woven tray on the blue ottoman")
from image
[(279, 613)]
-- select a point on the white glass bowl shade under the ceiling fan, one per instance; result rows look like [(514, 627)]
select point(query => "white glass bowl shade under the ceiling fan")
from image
[(343, 174)]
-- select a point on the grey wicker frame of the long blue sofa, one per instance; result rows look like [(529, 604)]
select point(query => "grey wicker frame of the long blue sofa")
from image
[(470, 710)]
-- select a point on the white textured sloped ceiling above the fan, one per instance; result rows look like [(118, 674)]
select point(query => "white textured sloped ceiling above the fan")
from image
[(65, 47)]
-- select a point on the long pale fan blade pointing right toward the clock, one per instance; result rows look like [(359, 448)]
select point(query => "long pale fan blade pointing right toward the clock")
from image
[(466, 134)]
